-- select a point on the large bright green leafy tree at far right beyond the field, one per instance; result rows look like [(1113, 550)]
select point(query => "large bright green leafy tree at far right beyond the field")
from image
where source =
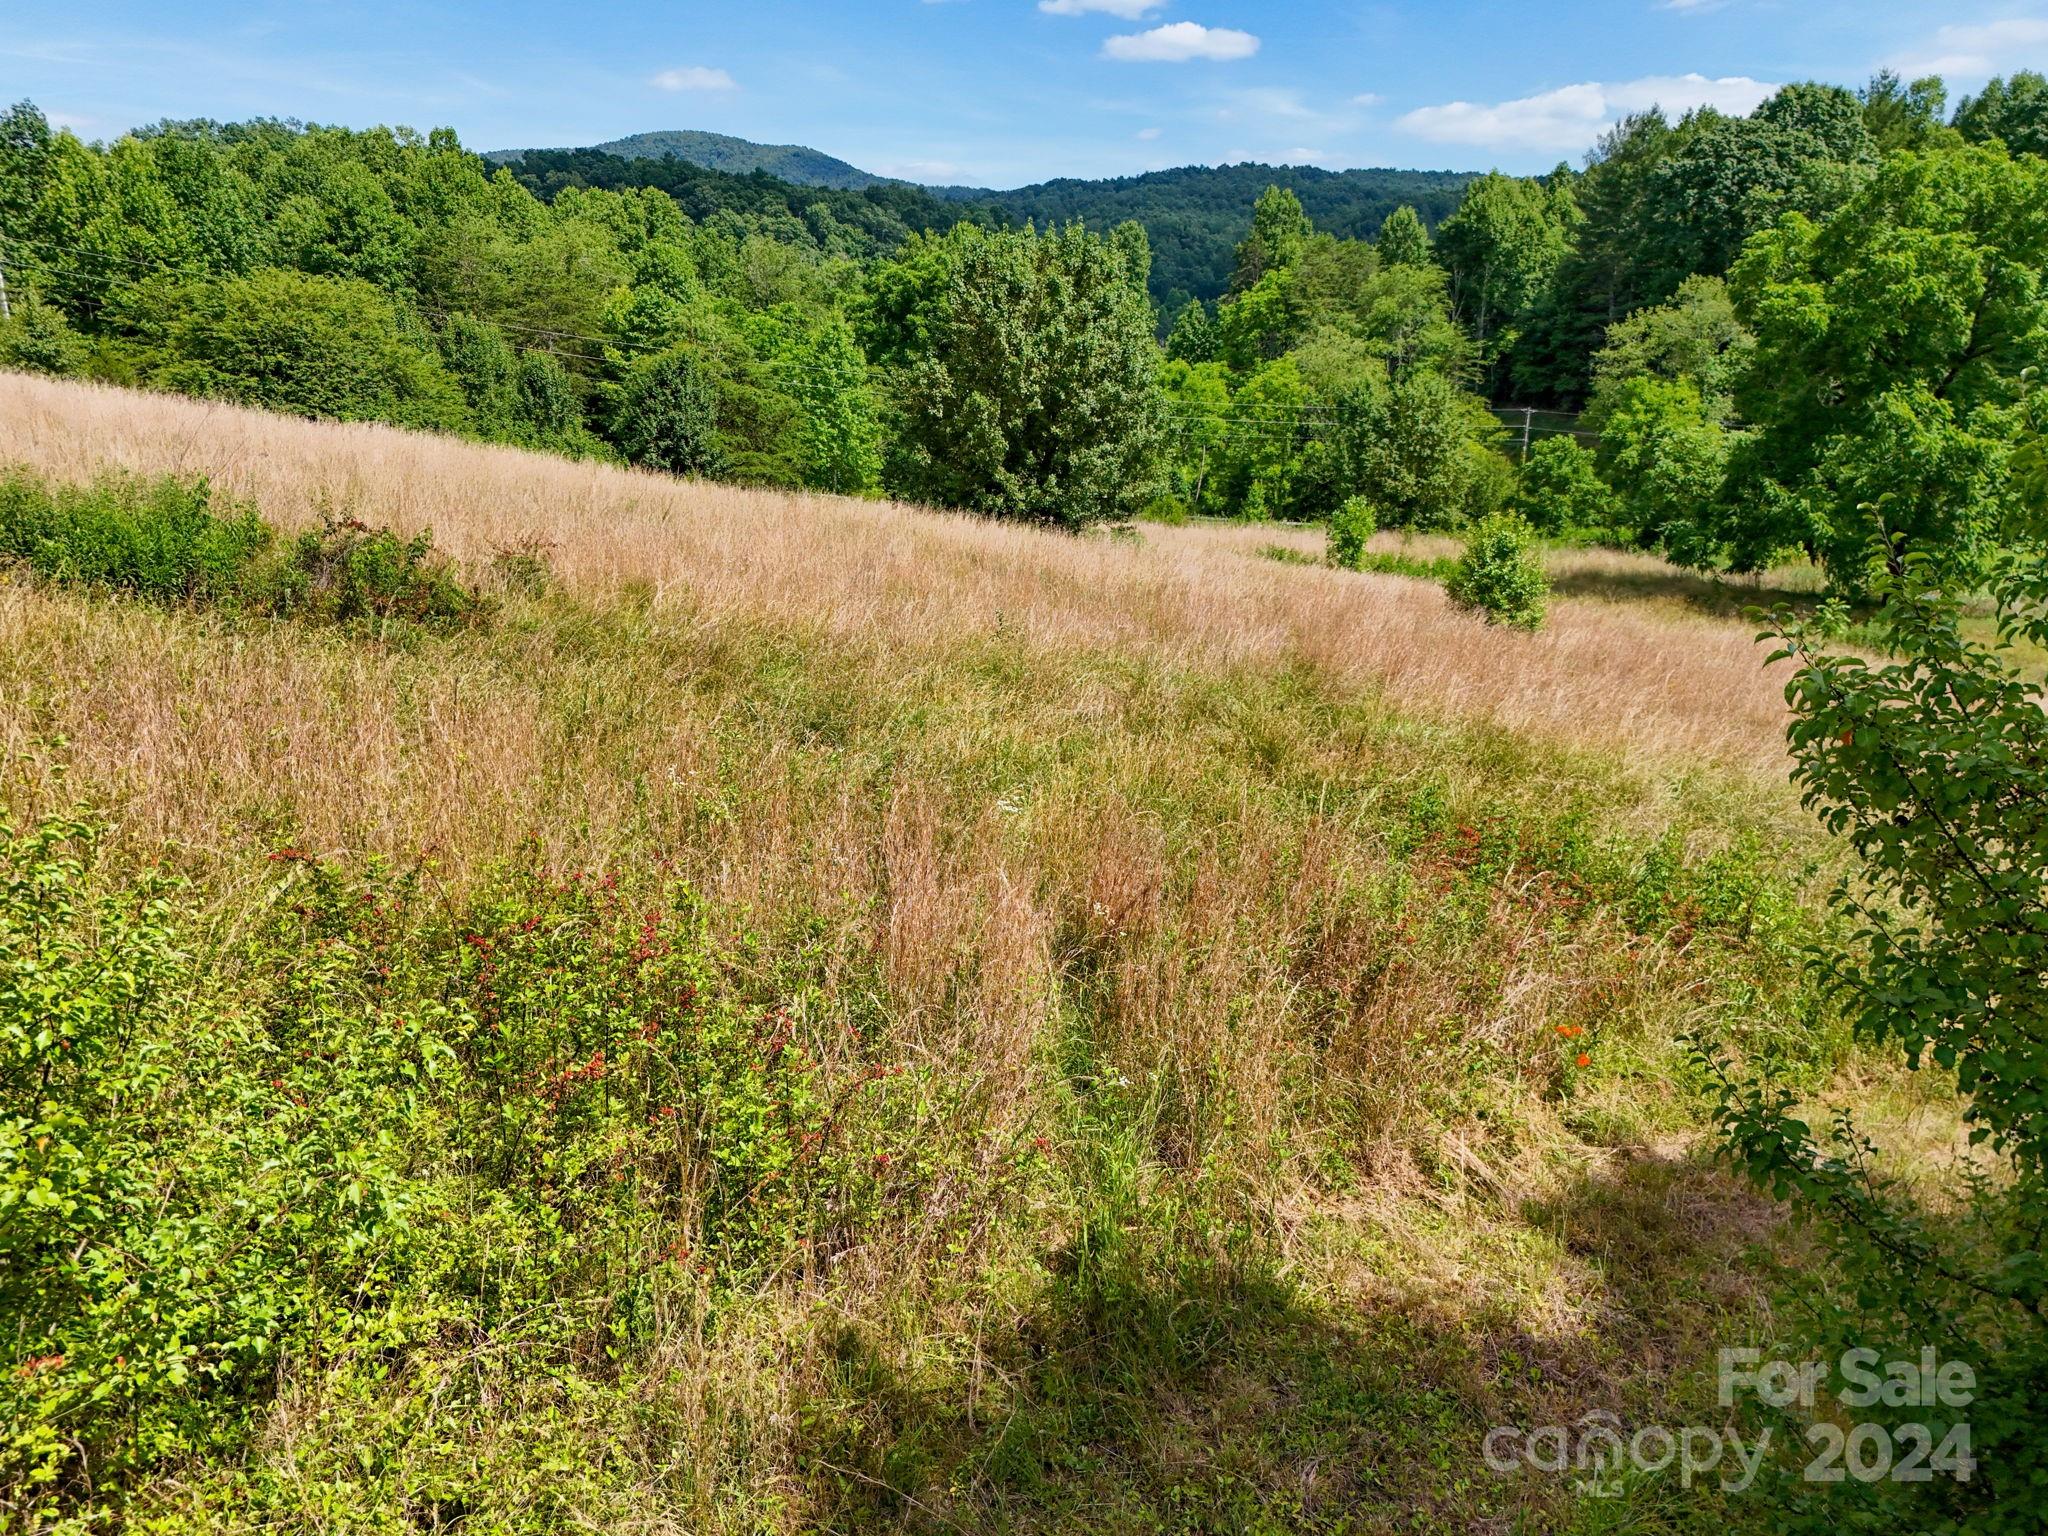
[(1889, 370)]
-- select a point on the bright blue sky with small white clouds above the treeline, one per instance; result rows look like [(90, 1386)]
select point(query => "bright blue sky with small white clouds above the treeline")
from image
[(994, 93)]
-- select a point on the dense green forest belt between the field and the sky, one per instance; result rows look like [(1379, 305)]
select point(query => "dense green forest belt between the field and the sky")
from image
[(1787, 331)]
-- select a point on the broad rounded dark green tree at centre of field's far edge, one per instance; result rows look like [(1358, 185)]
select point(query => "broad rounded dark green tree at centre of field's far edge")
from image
[(1037, 398)]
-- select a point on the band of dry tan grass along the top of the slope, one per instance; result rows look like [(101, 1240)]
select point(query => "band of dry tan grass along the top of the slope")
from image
[(1601, 675)]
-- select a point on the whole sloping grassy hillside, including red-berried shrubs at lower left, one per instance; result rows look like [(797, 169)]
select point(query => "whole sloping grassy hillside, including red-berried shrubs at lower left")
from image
[(830, 1017)]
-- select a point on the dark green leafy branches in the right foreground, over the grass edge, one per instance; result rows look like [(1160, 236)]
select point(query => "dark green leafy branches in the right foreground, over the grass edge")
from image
[(1934, 767)]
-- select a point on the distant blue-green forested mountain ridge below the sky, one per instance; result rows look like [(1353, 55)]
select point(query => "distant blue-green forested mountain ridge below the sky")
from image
[(1195, 216)]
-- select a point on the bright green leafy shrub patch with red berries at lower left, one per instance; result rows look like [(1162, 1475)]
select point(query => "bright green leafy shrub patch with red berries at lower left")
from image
[(380, 1132)]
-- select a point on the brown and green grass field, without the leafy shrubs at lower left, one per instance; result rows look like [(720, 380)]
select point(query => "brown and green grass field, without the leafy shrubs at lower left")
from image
[(1324, 884)]
